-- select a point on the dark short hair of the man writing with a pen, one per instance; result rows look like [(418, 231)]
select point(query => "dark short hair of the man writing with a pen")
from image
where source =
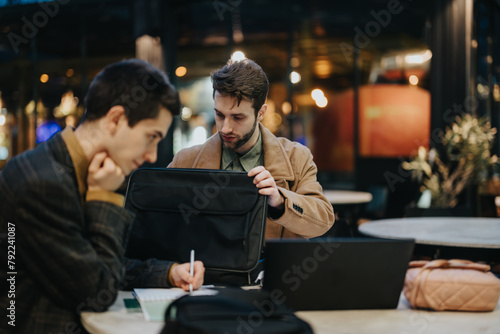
[(134, 84)]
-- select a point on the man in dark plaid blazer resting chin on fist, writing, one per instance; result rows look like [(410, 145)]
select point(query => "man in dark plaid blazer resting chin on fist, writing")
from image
[(62, 226)]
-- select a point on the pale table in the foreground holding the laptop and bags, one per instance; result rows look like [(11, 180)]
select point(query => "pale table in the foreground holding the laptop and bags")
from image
[(398, 321)]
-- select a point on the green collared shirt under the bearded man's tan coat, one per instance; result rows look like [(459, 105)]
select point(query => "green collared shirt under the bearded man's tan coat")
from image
[(253, 158)]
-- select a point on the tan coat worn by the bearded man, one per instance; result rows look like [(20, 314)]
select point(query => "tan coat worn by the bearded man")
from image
[(307, 212)]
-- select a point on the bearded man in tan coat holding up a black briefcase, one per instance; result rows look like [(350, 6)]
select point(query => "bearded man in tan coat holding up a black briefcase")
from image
[(283, 170)]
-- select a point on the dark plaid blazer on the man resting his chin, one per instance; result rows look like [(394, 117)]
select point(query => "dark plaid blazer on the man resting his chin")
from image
[(67, 257)]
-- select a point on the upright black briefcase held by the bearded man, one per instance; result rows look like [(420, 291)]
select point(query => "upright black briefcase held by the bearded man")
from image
[(219, 214)]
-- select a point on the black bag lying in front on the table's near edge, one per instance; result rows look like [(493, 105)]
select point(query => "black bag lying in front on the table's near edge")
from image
[(232, 310)]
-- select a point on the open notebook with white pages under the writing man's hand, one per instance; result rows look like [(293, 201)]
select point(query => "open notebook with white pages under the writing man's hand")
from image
[(154, 302)]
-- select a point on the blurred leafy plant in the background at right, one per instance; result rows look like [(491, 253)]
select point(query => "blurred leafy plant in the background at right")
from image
[(463, 162)]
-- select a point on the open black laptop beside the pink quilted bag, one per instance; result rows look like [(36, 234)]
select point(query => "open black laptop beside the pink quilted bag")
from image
[(337, 273)]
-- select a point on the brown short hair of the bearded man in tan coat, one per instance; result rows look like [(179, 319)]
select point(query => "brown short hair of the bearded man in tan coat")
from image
[(243, 79)]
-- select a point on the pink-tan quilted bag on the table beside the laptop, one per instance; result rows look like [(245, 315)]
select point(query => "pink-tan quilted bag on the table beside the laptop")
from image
[(457, 285)]
